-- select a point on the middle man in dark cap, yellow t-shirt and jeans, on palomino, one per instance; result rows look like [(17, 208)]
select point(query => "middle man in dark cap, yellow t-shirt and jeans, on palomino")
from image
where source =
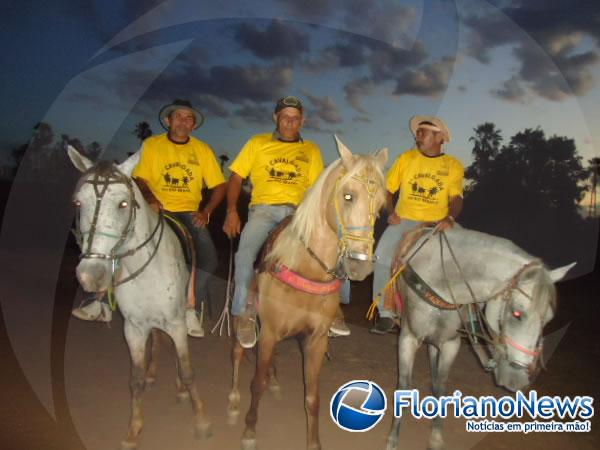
[(282, 166)]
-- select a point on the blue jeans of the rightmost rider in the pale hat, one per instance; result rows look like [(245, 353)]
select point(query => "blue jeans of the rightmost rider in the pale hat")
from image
[(386, 248)]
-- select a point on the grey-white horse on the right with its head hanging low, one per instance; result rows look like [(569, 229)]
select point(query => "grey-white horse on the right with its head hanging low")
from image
[(460, 267)]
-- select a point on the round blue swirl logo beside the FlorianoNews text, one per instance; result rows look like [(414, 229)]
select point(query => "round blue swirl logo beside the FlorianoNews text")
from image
[(358, 406)]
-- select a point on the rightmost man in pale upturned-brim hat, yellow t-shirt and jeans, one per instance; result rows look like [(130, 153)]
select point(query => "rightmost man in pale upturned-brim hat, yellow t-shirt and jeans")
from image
[(431, 187)]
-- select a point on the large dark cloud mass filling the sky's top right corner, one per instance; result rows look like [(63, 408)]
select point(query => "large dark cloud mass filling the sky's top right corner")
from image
[(561, 68)]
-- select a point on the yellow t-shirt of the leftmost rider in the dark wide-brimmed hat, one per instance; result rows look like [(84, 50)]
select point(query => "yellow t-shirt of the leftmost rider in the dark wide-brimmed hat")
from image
[(175, 173)]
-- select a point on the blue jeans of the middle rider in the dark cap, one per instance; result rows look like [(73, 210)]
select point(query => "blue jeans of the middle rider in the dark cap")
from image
[(261, 220)]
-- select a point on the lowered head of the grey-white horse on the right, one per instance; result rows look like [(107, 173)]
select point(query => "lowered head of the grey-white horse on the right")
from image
[(517, 318)]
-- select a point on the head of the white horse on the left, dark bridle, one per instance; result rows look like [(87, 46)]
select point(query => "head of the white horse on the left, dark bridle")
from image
[(106, 204)]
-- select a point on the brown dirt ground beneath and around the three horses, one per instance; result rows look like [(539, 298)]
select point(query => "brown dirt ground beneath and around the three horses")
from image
[(90, 370)]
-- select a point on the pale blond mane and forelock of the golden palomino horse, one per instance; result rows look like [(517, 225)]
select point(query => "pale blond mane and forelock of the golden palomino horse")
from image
[(310, 214)]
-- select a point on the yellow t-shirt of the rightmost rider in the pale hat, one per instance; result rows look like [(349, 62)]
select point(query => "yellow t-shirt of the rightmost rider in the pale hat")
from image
[(426, 184)]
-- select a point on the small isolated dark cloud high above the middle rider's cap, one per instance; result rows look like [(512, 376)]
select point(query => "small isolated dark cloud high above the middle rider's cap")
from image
[(278, 40)]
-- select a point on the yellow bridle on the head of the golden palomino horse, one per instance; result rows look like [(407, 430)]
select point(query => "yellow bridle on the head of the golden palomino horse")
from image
[(347, 233)]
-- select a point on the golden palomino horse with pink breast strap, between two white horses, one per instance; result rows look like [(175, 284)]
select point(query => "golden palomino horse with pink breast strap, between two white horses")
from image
[(330, 236)]
